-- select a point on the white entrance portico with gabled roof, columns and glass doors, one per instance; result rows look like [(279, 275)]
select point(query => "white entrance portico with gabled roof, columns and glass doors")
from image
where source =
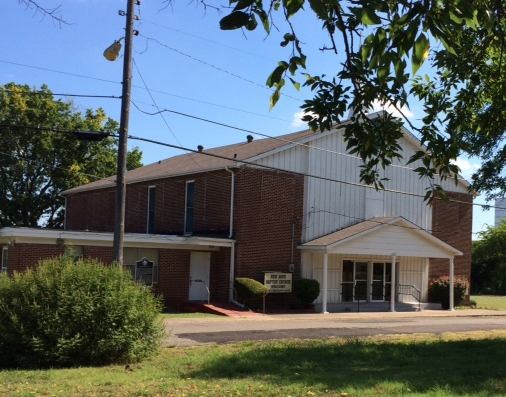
[(380, 261)]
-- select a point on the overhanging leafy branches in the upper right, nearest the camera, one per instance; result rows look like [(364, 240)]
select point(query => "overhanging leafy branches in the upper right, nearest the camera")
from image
[(385, 44)]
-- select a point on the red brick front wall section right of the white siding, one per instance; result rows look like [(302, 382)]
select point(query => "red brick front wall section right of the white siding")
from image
[(452, 222)]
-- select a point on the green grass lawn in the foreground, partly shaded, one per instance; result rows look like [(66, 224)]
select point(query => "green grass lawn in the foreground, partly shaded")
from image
[(472, 364)]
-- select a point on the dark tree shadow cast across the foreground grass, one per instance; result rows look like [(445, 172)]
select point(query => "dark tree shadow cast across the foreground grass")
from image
[(459, 367)]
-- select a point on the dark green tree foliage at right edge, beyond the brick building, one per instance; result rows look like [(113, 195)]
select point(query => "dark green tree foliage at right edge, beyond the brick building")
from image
[(489, 261)]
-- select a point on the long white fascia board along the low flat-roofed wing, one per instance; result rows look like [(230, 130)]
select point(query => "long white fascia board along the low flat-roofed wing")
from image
[(43, 236)]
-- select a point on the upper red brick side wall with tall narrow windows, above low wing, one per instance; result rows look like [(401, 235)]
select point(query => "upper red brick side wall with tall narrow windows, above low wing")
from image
[(94, 210)]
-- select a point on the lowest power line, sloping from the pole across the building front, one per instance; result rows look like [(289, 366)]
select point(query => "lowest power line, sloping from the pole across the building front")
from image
[(271, 167)]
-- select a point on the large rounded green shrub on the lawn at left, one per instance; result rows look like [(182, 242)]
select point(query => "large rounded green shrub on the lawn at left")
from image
[(66, 313)]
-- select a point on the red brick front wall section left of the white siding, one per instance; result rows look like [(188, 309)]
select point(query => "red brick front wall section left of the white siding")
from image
[(268, 209)]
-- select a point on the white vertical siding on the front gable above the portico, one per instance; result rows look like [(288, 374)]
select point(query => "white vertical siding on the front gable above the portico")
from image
[(330, 206)]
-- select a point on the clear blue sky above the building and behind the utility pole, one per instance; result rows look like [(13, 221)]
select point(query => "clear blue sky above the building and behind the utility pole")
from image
[(189, 73)]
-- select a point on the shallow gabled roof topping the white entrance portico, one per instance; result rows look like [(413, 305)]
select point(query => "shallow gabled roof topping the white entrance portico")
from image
[(384, 236)]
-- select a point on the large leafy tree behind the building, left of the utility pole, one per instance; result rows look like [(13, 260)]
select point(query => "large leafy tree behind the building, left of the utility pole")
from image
[(36, 166)]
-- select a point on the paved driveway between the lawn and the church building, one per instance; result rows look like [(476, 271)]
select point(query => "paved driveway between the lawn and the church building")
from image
[(184, 332)]
